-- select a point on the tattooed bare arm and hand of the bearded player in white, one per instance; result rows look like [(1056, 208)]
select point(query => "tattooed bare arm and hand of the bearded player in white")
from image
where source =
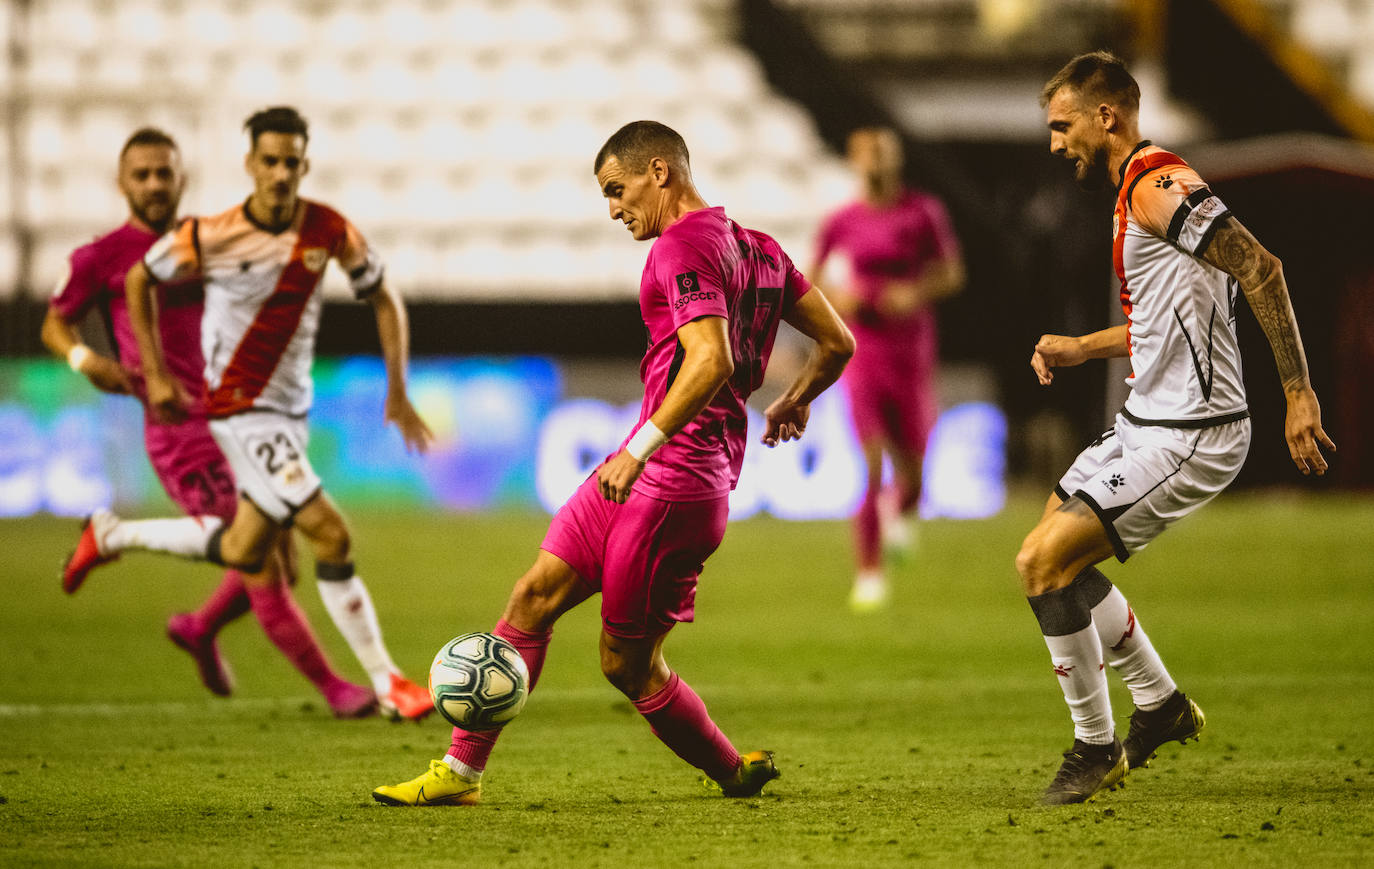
[(1261, 276)]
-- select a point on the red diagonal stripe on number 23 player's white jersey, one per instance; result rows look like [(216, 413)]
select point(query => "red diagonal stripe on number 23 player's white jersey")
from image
[(260, 351)]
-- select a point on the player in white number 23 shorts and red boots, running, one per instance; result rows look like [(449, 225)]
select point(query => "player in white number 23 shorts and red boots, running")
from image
[(262, 265)]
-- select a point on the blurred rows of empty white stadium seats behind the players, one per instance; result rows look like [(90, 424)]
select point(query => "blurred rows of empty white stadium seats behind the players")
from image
[(458, 135)]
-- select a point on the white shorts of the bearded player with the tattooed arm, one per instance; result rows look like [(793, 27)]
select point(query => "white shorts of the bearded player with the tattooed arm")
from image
[(1141, 479)]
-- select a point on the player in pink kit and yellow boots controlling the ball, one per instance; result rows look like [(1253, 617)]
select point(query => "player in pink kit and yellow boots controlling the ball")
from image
[(640, 529)]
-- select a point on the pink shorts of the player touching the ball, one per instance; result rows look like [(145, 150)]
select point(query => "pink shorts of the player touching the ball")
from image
[(644, 556)]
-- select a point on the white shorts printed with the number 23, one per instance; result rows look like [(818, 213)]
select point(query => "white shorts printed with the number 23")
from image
[(267, 453)]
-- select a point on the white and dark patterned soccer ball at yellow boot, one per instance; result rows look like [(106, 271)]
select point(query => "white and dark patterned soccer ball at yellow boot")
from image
[(479, 683)]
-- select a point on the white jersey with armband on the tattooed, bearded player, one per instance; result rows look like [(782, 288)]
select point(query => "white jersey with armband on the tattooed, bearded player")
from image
[(1181, 311)]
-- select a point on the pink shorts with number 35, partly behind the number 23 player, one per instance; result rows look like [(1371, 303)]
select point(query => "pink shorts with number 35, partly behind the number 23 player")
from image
[(192, 468)]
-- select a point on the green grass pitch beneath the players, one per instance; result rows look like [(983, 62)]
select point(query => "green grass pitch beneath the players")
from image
[(921, 735)]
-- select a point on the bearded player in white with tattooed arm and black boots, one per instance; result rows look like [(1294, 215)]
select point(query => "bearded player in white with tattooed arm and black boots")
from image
[(1182, 261)]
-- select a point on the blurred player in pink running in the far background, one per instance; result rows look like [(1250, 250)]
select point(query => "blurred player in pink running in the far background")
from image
[(903, 258)]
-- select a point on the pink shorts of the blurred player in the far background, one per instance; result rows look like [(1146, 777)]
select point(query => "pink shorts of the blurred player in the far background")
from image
[(890, 404)]
